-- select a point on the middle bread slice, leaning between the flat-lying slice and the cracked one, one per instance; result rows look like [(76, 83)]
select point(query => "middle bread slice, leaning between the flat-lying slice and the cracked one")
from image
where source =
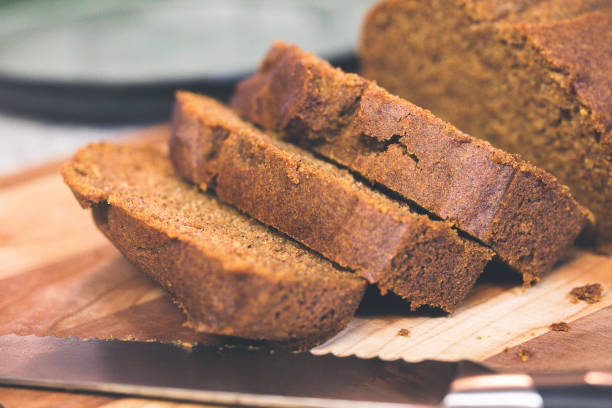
[(322, 206)]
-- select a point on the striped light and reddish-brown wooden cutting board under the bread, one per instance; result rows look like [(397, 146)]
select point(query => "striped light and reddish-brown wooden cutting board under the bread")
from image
[(59, 276)]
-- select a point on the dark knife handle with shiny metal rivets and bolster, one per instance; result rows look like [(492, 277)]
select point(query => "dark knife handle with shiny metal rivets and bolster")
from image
[(576, 390)]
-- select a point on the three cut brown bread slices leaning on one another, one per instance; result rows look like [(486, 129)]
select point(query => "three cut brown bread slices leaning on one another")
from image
[(267, 219)]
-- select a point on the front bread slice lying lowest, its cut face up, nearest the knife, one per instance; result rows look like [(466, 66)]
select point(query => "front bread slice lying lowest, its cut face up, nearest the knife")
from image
[(230, 274)]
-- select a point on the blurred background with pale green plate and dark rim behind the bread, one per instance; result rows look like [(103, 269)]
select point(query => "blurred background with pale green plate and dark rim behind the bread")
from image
[(75, 71)]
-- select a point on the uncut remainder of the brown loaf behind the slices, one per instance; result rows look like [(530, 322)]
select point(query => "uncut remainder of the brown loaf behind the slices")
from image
[(532, 77)]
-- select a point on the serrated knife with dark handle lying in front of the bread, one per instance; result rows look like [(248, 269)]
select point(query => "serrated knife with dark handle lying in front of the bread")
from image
[(265, 377)]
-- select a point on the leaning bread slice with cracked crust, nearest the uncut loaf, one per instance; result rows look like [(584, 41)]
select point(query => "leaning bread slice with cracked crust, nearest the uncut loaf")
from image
[(517, 209)]
